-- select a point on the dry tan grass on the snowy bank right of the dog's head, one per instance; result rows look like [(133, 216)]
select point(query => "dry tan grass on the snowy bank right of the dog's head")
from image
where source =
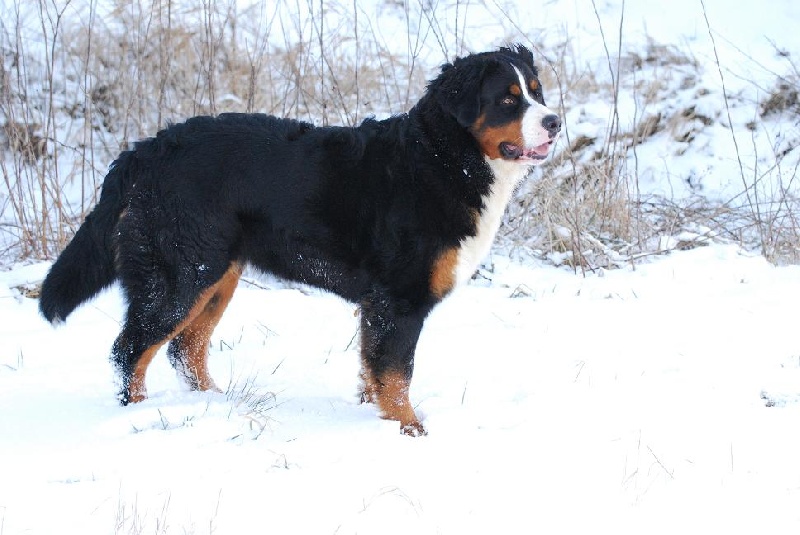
[(587, 210)]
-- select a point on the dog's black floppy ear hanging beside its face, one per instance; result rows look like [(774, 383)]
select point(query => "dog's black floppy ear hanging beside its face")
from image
[(459, 90)]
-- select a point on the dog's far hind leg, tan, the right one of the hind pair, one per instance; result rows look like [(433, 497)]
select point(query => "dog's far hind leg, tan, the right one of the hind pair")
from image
[(188, 351)]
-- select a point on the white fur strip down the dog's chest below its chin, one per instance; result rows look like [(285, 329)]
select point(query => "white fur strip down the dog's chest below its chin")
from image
[(507, 175)]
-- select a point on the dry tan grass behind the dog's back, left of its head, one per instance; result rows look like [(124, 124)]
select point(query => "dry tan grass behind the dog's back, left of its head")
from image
[(90, 83)]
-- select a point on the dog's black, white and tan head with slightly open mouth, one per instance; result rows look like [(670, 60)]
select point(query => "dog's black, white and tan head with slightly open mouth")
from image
[(498, 98)]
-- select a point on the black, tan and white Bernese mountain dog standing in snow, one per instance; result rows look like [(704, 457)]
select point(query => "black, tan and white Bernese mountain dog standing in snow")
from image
[(391, 215)]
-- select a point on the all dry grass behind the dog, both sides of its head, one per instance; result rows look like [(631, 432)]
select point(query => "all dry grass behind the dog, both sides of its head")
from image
[(92, 82)]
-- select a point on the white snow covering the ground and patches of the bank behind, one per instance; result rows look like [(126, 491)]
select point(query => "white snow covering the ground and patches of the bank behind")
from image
[(660, 397)]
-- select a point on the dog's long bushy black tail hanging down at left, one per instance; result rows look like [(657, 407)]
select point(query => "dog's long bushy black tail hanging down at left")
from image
[(87, 264)]
